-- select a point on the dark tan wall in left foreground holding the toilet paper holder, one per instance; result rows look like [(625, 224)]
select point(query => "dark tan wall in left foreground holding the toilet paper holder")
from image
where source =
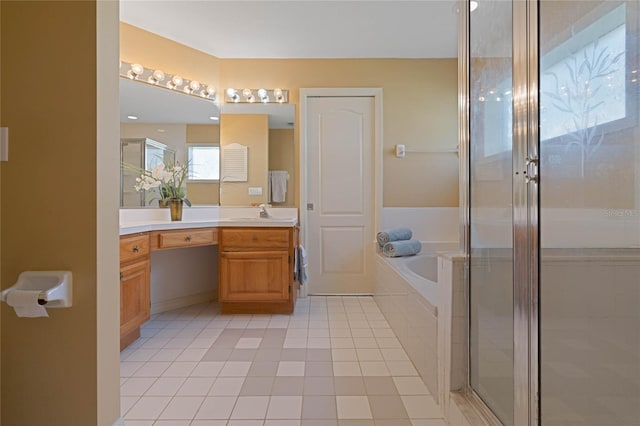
[(49, 214)]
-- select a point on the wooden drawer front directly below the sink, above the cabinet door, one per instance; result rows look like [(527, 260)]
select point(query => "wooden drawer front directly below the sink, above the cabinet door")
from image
[(254, 238)]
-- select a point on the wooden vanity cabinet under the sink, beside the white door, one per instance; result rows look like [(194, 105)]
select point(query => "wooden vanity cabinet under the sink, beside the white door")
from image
[(256, 270)]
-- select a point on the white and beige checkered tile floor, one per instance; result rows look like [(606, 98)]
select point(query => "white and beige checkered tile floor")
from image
[(334, 362)]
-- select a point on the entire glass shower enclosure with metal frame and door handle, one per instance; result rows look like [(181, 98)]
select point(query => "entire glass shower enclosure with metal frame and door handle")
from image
[(554, 211)]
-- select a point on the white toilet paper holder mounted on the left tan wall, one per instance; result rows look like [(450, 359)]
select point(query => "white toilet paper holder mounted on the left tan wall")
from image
[(55, 287)]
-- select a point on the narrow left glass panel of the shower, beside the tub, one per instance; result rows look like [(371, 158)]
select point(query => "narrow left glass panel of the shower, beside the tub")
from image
[(491, 261)]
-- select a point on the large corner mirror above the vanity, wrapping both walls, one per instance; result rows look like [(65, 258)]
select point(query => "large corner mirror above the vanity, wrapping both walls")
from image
[(197, 131)]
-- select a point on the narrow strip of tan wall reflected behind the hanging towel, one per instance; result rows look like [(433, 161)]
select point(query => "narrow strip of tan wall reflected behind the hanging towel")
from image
[(281, 157)]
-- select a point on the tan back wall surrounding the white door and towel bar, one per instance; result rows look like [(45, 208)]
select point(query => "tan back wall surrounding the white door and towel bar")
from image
[(419, 110)]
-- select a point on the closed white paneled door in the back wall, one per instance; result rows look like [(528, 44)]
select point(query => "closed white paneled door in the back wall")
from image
[(339, 160)]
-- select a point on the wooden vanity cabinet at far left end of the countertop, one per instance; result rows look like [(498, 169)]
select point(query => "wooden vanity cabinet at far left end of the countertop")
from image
[(134, 286)]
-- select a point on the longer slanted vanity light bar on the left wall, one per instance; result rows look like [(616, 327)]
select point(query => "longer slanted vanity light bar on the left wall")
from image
[(167, 81)]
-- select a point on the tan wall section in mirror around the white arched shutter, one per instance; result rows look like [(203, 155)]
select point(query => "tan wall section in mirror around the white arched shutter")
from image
[(251, 130)]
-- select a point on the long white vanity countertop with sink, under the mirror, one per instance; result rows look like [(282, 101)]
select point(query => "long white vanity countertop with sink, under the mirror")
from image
[(154, 219)]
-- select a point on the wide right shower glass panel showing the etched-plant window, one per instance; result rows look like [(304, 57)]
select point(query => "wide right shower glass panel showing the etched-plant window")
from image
[(590, 213)]
